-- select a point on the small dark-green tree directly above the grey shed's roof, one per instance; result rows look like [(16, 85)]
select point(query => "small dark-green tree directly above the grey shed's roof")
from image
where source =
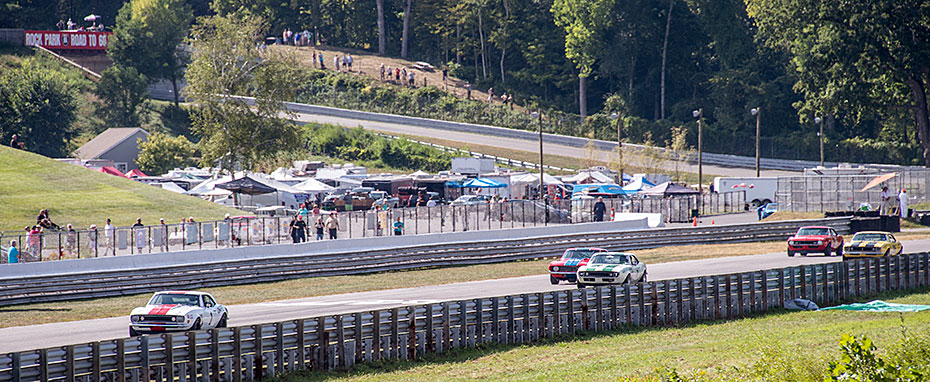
[(123, 93)]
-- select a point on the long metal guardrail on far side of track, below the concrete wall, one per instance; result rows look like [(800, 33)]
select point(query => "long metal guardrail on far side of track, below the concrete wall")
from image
[(19, 290)]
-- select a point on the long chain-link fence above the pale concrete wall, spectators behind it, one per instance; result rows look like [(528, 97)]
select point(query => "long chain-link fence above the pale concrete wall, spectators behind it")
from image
[(85, 243)]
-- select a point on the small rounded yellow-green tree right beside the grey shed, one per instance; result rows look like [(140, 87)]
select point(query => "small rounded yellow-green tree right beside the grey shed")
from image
[(161, 153)]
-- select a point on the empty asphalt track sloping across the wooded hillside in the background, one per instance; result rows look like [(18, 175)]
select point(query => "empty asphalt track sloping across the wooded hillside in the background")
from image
[(520, 144)]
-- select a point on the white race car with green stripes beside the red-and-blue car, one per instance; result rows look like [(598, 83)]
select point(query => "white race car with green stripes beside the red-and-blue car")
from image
[(611, 268)]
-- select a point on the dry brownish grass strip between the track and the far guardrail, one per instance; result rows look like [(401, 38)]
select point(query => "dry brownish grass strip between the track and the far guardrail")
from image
[(319, 286)]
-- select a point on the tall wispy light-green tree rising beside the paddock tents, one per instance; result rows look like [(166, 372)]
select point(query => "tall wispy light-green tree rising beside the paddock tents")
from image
[(226, 63)]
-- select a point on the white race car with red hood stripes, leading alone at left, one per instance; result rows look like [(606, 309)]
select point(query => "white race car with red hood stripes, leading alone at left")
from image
[(177, 311)]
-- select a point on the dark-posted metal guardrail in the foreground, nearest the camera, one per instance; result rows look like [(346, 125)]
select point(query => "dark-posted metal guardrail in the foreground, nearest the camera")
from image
[(340, 341)]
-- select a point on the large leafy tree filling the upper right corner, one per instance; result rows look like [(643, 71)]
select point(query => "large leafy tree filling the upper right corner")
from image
[(854, 59)]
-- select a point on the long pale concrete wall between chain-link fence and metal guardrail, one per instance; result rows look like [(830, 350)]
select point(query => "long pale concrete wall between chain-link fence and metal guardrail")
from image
[(184, 258)]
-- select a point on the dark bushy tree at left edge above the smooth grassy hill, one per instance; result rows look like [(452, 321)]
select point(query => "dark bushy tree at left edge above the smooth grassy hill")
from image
[(39, 105)]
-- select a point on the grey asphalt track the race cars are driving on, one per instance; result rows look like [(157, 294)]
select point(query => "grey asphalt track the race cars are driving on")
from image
[(58, 334)]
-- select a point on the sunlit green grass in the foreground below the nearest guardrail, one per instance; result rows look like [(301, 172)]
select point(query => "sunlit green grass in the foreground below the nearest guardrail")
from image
[(779, 346)]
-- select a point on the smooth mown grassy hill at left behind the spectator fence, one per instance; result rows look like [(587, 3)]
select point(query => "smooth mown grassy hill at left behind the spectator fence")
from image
[(83, 197)]
